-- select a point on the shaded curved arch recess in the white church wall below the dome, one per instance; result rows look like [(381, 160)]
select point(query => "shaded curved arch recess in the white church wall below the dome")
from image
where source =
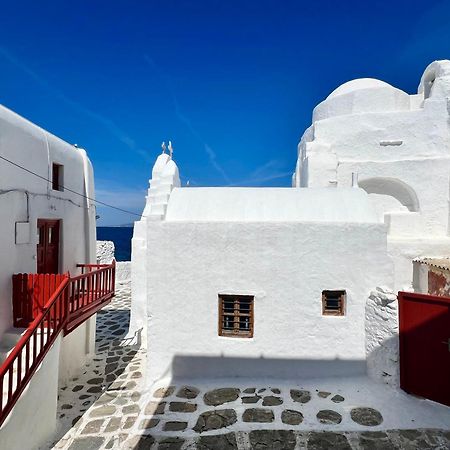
[(392, 187)]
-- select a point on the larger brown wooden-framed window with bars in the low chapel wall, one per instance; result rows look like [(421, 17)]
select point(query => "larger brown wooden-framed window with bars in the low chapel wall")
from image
[(236, 316)]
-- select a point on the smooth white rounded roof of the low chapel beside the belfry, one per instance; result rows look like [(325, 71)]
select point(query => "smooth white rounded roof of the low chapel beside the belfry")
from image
[(229, 204)]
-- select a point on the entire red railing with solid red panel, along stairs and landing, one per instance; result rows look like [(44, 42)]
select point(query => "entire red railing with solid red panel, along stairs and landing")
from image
[(70, 302)]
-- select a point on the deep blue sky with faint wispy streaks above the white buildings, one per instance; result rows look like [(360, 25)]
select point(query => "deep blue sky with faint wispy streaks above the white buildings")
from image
[(231, 83)]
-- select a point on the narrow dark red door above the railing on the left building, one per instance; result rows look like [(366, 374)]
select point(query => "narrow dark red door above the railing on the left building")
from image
[(48, 246)]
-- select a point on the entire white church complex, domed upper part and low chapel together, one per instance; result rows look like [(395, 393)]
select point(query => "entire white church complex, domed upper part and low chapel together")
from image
[(286, 282)]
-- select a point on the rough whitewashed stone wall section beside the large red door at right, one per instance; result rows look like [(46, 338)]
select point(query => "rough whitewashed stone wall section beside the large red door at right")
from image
[(381, 327)]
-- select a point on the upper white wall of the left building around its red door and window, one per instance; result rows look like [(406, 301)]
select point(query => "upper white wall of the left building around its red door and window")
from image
[(25, 198)]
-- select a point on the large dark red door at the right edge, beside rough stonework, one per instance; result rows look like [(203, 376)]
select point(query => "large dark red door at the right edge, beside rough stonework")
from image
[(425, 346)]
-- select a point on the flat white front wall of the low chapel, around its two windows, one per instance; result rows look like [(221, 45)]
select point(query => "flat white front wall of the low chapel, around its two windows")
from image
[(285, 266)]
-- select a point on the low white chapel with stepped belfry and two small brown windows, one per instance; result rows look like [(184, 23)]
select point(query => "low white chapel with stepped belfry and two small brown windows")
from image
[(255, 281)]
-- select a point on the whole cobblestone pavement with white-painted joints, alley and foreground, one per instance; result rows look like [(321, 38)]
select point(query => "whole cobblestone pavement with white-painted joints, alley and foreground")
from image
[(108, 407)]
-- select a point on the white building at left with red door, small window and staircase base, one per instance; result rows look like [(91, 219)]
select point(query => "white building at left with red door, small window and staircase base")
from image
[(44, 228)]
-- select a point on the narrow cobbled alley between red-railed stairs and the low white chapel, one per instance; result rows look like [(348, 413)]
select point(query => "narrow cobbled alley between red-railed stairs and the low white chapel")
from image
[(104, 400)]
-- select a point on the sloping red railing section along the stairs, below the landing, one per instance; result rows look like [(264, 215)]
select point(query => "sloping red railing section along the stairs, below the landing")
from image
[(18, 368)]
